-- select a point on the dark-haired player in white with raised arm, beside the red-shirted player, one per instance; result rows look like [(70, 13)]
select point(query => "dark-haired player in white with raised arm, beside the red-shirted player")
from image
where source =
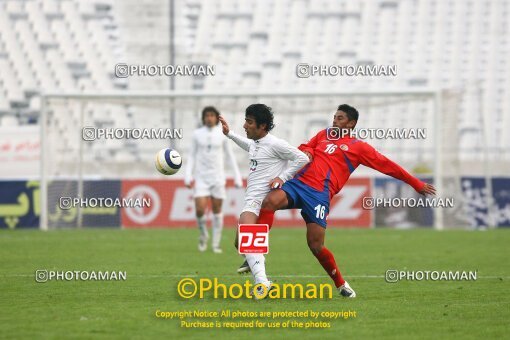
[(272, 162)]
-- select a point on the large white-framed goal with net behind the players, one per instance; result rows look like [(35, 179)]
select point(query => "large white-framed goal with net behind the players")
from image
[(97, 146)]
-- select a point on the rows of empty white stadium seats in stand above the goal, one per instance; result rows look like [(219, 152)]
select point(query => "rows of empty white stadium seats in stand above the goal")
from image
[(73, 45)]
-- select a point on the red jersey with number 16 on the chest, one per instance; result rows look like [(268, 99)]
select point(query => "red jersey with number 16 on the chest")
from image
[(335, 160)]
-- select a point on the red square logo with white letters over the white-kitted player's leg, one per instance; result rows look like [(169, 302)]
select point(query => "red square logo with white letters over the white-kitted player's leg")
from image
[(253, 238)]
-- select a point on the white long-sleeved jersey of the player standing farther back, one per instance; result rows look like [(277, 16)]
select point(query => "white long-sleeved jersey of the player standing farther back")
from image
[(206, 158)]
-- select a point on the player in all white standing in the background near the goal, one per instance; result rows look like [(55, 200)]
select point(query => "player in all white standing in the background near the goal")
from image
[(206, 166)]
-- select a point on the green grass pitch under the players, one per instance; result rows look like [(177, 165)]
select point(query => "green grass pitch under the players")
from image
[(155, 260)]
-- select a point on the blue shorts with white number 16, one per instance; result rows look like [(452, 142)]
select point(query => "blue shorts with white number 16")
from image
[(314, 204)]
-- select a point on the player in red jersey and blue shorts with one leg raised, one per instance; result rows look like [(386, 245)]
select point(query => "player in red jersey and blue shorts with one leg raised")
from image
[(334, 157)]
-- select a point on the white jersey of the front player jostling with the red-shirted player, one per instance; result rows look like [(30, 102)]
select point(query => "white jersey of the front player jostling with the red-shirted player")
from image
[(270, 157)]
